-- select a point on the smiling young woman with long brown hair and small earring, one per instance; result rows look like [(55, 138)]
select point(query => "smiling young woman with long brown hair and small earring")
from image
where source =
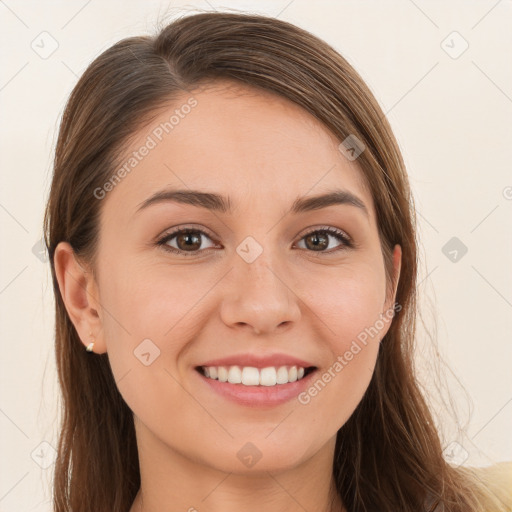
[(232, 241)]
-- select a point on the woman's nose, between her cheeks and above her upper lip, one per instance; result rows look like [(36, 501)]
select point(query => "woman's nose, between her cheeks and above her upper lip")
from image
[(259, 297)]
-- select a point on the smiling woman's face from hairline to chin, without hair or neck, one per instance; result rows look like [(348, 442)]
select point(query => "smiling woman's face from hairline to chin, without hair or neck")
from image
[(255, 280)]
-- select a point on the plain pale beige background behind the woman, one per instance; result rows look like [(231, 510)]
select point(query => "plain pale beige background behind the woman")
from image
[(441, 72)]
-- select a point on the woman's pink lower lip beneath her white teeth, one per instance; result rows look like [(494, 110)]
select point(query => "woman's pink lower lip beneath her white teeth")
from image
[(259, 395)]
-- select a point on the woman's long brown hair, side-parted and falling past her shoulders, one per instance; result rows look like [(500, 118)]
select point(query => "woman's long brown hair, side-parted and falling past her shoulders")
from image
[(388, 455)]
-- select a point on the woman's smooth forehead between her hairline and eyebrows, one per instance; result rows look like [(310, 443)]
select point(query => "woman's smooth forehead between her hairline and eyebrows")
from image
[(252, 145)]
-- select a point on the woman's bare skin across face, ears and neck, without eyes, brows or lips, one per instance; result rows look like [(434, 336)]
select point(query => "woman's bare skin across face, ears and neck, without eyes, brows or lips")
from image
[(263, 152)]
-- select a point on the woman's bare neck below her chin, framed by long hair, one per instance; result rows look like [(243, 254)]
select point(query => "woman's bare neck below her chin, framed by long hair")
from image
[(170, 480)]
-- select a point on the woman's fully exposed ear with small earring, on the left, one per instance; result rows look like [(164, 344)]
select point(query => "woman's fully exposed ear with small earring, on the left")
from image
[(79, 292)]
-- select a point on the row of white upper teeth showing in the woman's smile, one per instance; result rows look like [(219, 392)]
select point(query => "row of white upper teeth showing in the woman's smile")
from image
[(250, 376)]
